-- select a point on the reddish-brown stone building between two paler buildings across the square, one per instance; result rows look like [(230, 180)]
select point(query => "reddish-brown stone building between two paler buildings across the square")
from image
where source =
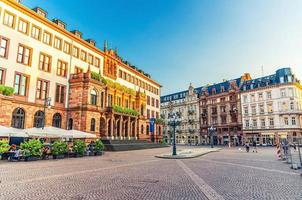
[(220, 108)]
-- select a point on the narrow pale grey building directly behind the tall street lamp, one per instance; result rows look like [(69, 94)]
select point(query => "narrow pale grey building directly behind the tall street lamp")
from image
[(185, 103)]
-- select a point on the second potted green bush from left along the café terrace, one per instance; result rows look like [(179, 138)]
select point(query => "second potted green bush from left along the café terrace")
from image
[(32, 149)]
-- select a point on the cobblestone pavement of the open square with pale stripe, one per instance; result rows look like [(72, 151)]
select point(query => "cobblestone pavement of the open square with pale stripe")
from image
[(228, 174)]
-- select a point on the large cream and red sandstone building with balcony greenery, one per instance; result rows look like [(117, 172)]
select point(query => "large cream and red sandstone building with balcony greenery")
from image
[(87, 88)]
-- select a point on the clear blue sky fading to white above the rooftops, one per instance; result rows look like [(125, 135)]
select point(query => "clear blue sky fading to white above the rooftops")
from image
[(198, 41)]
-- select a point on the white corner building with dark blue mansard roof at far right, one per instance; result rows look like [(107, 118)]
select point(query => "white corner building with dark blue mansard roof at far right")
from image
[(272, 108)]
